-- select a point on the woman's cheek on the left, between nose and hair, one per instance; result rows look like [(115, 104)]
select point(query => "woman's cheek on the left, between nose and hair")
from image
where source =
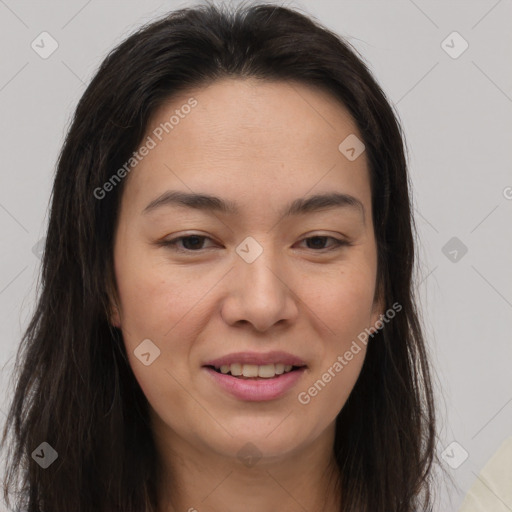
[(166, 306)]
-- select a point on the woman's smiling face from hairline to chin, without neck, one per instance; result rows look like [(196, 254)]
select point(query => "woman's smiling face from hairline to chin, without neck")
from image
[(257, 285)]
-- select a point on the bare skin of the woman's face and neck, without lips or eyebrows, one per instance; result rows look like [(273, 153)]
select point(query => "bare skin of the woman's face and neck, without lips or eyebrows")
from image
[(262, 145)]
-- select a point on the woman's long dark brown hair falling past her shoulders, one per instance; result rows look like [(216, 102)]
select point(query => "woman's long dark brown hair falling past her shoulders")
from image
[(74, 388)]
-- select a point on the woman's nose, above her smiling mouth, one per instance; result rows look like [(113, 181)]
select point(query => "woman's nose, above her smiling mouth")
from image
[(261, 293)]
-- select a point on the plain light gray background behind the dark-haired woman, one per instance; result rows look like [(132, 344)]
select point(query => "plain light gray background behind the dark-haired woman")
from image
[(456, 114)]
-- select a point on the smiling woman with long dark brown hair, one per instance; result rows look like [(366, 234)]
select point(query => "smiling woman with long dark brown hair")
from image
[(227, 317)]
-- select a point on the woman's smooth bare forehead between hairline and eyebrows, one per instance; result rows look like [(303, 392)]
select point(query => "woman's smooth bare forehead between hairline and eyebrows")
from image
[(250, 136)]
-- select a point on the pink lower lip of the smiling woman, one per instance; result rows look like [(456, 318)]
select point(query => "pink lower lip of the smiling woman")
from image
[(257, 390)]
